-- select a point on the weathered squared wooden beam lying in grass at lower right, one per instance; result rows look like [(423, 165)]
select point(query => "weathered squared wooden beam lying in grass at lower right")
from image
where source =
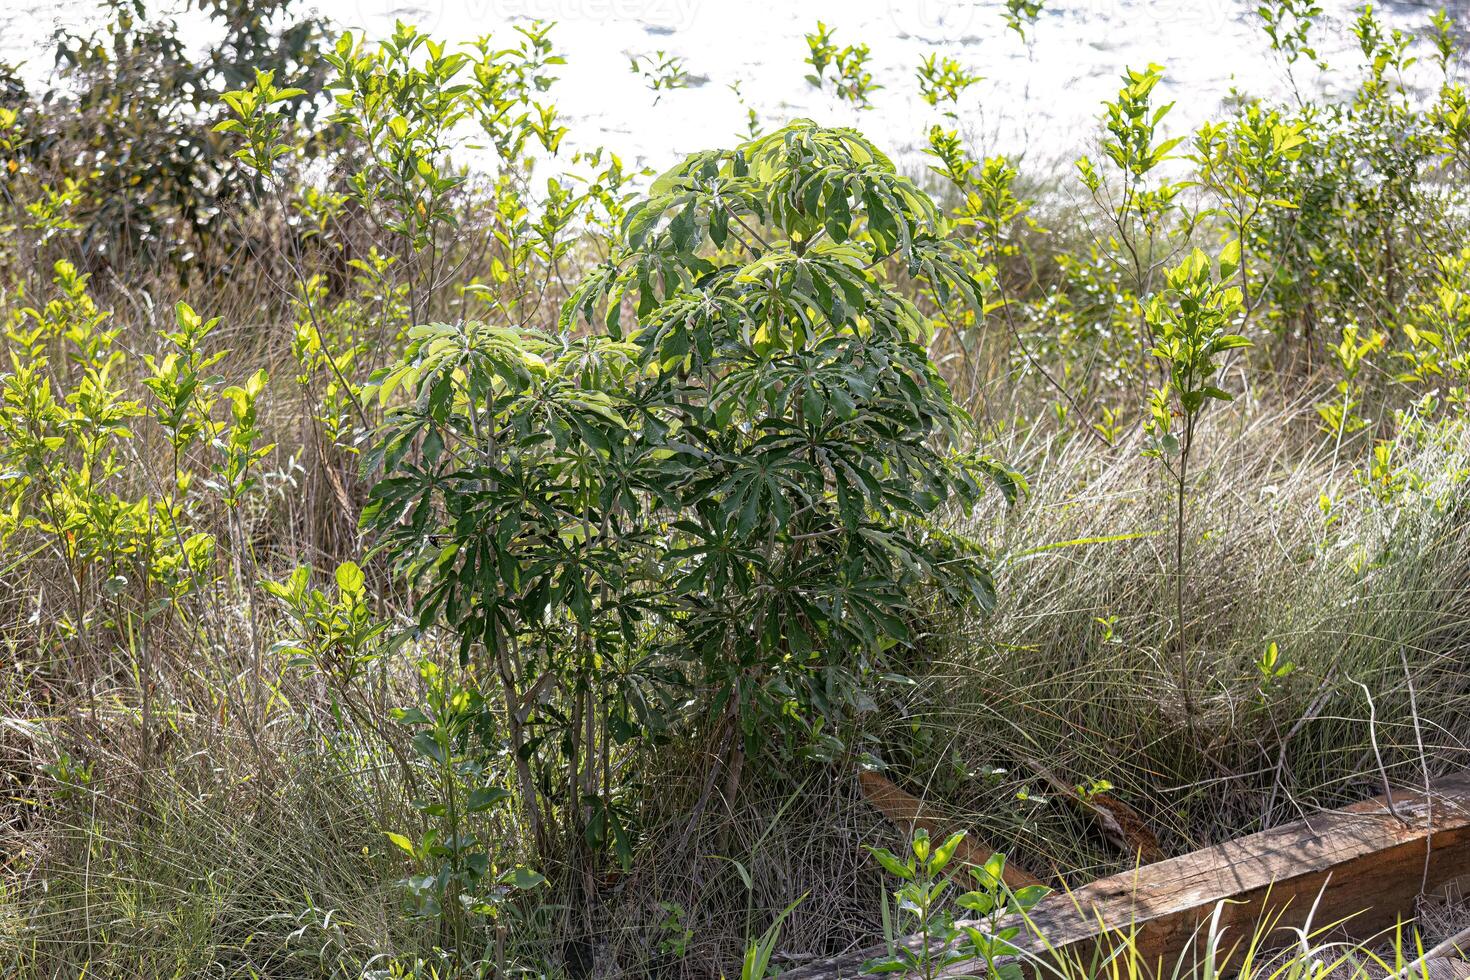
[(1362, 866)]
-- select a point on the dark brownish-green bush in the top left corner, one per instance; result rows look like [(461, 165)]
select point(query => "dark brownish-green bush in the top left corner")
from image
[(129, 120)]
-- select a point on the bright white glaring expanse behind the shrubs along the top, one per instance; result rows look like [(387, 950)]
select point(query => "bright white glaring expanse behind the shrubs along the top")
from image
[(1040, 99)]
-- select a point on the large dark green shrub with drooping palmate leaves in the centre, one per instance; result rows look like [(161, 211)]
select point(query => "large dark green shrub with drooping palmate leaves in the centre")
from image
[(730, 500)]
